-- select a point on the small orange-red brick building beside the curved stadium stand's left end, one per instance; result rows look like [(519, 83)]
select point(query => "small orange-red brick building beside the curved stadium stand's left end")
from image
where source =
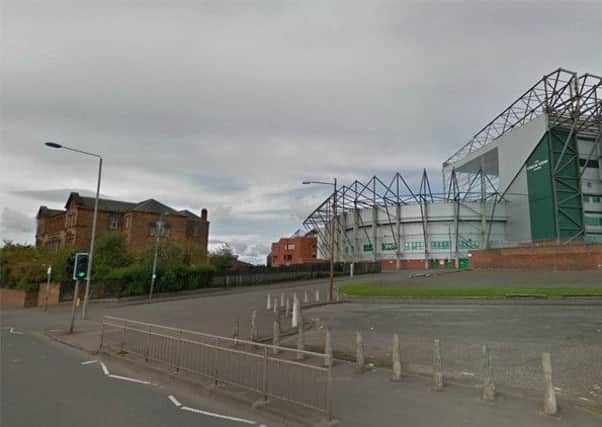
[(295, 250)]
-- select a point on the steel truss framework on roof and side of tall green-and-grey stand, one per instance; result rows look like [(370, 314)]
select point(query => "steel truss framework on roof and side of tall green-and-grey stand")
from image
[(570, 102)]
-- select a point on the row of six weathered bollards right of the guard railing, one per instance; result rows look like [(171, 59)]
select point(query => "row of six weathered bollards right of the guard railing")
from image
[(488, 391)]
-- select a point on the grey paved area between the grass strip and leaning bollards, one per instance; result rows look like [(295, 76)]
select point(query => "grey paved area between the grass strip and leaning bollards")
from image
[(516, 334)]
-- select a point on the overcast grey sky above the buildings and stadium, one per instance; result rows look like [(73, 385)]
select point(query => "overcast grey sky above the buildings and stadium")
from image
[(229, 105)]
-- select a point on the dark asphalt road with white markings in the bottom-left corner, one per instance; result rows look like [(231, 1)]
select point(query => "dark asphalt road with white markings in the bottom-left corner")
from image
[(43, 383)]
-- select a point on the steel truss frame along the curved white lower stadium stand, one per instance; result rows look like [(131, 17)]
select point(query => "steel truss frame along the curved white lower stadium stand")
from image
[(378, 195)]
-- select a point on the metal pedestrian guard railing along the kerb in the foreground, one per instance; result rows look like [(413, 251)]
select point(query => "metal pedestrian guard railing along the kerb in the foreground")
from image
[(265, 369)]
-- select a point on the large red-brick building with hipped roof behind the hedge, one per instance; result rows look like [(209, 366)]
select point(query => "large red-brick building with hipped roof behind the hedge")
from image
[(72, 227)]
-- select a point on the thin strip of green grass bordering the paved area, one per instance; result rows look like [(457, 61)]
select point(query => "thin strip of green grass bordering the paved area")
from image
[(374, 291)]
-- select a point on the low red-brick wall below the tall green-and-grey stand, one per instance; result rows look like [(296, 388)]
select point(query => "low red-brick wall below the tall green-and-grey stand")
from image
[(542, 256)]
